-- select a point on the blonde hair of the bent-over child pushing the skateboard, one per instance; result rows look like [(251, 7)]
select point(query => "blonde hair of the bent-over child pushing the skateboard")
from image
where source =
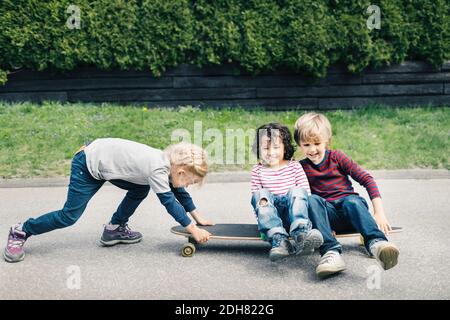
[(190, 156)]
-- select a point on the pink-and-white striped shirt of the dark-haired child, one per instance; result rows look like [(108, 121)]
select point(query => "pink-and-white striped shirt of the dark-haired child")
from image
[(278, 181)]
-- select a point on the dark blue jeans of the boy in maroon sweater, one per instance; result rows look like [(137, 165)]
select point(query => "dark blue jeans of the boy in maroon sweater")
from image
[(348, 214)]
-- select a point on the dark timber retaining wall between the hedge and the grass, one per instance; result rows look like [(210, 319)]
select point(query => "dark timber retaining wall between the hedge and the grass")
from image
[(411, 83)]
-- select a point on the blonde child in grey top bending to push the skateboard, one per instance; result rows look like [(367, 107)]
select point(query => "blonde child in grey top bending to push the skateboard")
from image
[(131, 166)]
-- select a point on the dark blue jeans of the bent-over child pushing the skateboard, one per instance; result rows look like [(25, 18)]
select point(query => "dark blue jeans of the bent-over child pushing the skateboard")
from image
[(82, 188)]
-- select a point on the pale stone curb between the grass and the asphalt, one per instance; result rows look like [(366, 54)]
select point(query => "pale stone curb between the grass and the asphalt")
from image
[(237, 176)]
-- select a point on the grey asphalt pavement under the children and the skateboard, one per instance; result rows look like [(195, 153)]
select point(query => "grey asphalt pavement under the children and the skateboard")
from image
[(154, 269)]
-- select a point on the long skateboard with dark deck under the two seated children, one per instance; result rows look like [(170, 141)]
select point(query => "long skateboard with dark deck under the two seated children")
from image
[(238, 231)]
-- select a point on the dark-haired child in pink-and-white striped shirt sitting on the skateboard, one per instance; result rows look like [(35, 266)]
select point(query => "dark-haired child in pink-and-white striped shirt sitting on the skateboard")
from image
[(280, 192)]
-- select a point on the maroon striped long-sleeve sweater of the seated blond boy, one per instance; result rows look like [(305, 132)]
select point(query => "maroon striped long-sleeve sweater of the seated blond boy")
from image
[(330, 178)]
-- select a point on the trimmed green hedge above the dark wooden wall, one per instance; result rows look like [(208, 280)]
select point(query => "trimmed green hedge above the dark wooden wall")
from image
[(258, 35)]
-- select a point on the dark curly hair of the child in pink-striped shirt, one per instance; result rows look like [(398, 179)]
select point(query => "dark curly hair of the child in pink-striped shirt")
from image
[(269, 131)]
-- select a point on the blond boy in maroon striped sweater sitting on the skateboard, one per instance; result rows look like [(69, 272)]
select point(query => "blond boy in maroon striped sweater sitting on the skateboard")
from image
[(334, 205)]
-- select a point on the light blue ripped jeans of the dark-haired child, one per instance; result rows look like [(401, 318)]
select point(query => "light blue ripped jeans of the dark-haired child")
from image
[(281, 213)]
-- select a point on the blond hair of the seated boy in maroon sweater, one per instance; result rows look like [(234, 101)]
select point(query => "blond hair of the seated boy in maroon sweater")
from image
[(313, 127)]
